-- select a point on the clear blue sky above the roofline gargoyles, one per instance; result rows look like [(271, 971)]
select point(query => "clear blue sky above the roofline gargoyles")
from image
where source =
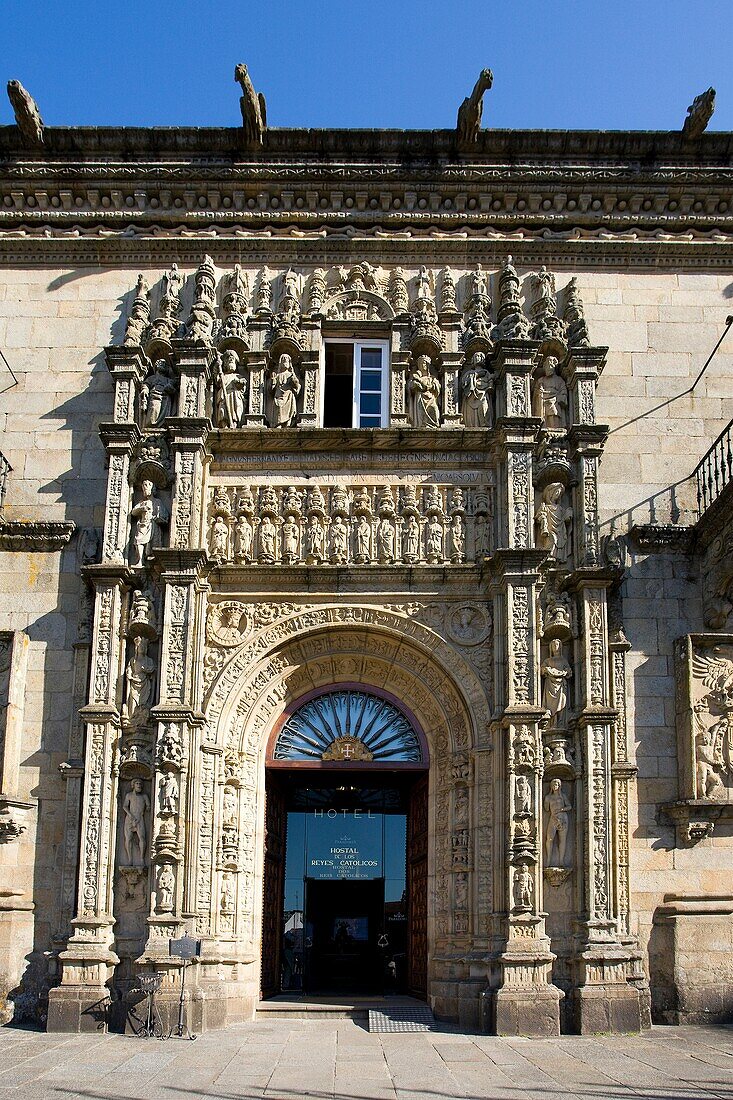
[(597, 64)]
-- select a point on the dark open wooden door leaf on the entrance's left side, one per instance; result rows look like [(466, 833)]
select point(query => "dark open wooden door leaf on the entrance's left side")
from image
[(272, 903)]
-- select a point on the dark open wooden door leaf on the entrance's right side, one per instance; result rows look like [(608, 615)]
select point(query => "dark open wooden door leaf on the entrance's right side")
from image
[(418, 893)]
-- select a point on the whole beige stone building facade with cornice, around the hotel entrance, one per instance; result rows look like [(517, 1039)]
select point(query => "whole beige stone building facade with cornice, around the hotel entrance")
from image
[(517, 554)]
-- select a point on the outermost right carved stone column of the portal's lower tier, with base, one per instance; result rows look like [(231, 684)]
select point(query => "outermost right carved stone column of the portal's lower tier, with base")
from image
[(603, 998)]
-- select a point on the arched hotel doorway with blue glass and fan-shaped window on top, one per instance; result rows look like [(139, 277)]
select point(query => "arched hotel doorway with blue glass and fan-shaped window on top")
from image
[(345, 900)]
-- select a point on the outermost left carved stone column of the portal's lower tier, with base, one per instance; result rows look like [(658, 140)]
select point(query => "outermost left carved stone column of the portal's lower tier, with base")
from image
[(81, 1003)]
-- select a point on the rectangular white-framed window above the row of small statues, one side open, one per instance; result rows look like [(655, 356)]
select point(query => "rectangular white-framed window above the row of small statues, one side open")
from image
[(356, 384)]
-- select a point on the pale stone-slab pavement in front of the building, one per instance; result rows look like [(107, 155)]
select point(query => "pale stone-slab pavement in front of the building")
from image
[(341, 1061)]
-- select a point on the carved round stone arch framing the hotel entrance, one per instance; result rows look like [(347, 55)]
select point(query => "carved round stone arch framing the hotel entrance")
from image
[(307, 652)]
